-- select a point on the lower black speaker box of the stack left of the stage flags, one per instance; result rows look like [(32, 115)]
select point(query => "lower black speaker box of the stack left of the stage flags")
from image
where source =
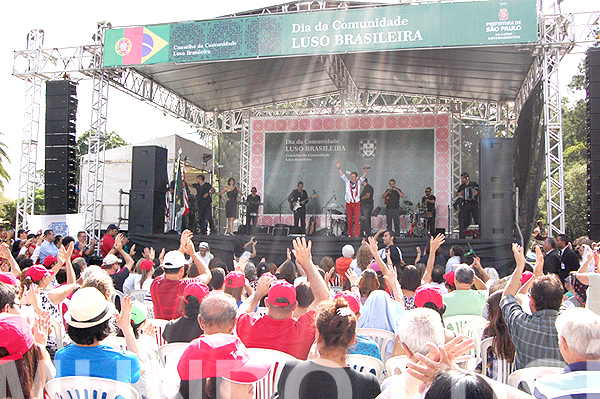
[(146, 212)]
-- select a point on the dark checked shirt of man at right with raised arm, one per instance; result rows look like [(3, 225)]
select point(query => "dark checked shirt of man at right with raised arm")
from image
[(534, 336)]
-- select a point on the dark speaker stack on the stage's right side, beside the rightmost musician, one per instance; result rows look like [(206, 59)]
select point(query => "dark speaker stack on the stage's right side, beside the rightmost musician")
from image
[(496, 188)]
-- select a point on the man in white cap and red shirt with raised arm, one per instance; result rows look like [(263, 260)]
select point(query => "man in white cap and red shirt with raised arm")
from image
[(167, 289)]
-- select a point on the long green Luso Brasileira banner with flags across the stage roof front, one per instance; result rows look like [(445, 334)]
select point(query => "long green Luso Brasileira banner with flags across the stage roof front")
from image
[(393, 27)]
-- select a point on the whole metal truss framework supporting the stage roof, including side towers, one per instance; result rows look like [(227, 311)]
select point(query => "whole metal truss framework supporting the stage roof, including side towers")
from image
[(85, 63)]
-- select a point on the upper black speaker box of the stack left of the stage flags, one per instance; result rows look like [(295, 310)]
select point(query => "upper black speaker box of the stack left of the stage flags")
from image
[(149, 168)]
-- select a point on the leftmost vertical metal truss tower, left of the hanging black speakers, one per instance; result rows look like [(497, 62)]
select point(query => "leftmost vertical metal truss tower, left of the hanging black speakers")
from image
[(33, 96)]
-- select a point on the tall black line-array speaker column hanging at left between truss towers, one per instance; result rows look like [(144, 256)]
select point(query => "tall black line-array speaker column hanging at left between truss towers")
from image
[(60, 175)]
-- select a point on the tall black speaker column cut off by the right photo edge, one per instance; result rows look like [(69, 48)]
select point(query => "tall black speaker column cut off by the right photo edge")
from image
[(593, 141)]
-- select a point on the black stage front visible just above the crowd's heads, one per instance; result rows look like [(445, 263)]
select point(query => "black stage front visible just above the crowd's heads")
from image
[(273, 248)]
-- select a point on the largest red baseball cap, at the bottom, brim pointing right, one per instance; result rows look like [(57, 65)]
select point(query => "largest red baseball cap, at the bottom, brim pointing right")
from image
[(221, 355)]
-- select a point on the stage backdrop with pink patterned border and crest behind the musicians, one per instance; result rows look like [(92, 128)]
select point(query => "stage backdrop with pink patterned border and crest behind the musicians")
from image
[(412, 149)]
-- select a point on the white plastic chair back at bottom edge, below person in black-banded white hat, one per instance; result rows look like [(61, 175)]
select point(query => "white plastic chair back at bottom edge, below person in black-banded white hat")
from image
[(90, 387)]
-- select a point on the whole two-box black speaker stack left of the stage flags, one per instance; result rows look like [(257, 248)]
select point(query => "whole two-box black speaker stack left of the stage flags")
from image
[(147, 203)]
